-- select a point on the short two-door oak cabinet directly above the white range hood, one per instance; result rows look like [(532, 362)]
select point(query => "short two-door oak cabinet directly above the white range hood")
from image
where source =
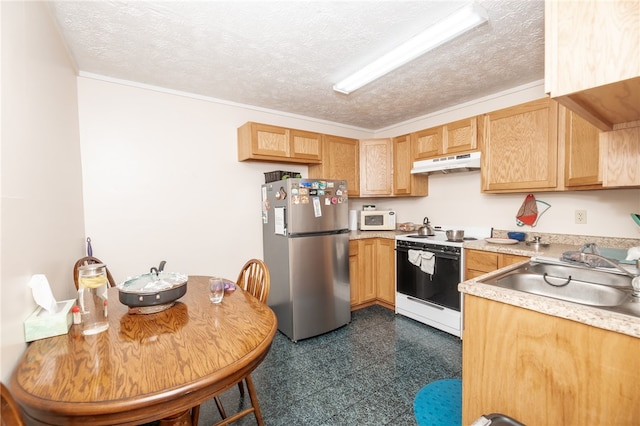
[(452, 138)]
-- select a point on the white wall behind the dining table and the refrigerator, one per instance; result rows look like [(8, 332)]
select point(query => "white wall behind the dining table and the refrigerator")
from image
[(162, 180)]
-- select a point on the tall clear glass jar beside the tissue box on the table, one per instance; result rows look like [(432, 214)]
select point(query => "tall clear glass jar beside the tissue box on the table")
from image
[(92, 298)]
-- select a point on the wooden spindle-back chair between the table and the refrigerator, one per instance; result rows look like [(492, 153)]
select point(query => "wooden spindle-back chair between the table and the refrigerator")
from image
[(254, 278)]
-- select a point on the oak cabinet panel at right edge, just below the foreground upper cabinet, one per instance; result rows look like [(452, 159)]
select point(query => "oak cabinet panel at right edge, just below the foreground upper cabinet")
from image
[(622, 157)]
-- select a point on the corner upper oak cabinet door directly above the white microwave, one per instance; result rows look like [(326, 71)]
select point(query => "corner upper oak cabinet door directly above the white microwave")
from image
[(375, 167)]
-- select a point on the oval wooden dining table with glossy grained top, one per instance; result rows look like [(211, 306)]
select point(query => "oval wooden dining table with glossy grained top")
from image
[(145, 367)]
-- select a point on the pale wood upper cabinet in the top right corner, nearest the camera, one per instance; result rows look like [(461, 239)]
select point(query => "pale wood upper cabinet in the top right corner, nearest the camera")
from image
[(592, 63)]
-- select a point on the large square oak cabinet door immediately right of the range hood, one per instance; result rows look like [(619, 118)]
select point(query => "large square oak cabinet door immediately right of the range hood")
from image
[(520, 148)]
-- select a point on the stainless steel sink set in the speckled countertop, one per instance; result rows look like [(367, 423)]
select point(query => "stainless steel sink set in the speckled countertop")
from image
[(585, 286)]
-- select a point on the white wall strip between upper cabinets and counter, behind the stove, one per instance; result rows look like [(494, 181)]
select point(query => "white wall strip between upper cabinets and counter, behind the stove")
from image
[(455, 199)]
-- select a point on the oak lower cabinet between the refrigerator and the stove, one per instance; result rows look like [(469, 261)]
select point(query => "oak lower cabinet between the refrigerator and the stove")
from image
[(372, 272)]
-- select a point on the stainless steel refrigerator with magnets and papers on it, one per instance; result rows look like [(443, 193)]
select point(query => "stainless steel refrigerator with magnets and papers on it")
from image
[(306, 247)]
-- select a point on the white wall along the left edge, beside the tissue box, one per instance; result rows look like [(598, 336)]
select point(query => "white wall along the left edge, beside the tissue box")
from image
[(42, 219)]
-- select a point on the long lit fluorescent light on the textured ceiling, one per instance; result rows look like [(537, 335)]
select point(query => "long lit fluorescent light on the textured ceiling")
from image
[(447, 29)]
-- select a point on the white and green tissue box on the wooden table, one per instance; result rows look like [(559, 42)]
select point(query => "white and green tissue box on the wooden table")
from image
[(41, 324)]
